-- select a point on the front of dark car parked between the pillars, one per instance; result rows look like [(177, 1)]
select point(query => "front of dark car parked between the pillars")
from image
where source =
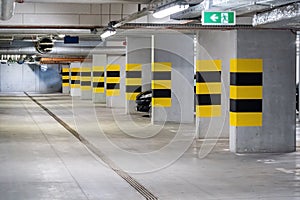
[(143, 102)]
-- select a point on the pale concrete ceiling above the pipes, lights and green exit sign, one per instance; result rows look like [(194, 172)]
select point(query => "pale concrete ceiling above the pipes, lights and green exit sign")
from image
[(34, 19)]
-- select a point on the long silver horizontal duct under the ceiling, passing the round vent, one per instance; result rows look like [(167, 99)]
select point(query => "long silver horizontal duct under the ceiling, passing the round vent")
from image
[(65, 51)]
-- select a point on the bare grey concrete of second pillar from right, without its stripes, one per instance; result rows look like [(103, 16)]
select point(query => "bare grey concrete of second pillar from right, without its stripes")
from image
[(217, 45)]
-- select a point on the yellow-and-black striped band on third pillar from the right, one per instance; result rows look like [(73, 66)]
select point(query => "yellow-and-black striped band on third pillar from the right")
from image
[(161, 84)]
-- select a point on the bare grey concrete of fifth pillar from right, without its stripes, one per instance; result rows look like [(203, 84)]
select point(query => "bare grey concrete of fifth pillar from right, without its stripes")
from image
[(118, 101)]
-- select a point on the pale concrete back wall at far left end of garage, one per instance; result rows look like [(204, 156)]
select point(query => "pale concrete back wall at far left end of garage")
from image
[(30, 78)]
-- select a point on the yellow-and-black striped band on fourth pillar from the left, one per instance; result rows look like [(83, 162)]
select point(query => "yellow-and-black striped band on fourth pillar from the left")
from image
[(98, 79)]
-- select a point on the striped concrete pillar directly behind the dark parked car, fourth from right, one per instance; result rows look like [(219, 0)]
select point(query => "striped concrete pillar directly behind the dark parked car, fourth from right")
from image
[(138, 69)]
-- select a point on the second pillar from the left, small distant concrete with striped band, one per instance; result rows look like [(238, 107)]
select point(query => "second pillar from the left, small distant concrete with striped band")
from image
[(75, 79)]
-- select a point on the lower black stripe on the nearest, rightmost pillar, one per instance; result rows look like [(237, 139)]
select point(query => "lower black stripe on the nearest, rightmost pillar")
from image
[(246, 105)]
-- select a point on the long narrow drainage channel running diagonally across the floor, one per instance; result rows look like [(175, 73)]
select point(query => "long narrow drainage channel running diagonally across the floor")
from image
[(135, 184)]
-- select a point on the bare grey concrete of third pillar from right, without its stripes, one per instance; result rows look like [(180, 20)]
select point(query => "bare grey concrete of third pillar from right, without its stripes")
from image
[(178, 49)]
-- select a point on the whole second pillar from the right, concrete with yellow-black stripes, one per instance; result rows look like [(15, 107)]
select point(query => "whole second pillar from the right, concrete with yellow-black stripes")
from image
[(214, 51)]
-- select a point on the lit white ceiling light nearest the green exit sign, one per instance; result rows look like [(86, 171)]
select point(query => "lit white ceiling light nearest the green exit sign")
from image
[(169, 10)]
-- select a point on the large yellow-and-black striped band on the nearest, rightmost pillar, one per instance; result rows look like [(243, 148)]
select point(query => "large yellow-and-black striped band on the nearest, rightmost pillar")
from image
[(246, 92)]
